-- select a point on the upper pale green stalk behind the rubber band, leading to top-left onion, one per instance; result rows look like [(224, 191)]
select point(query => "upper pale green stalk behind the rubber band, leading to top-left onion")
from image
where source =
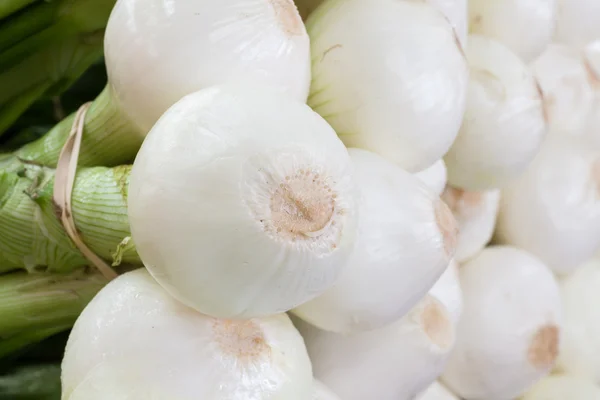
[(109, 138)]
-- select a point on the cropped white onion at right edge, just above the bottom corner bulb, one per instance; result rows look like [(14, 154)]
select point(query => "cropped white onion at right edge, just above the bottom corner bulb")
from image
[(580, 353)]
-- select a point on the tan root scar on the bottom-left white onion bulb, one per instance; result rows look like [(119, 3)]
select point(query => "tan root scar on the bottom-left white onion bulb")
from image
[(243, 340)]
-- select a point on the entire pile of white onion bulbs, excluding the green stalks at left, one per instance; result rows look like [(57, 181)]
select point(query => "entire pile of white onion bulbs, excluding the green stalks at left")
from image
[(351, 200)]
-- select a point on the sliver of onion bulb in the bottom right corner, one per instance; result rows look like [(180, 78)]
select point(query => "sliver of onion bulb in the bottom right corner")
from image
[(563, 387)]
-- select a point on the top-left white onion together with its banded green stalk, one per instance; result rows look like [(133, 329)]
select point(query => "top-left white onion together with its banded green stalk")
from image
[(172, 51)]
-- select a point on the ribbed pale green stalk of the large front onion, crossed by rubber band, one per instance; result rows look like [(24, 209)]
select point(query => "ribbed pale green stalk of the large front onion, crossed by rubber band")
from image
[(31, 236)]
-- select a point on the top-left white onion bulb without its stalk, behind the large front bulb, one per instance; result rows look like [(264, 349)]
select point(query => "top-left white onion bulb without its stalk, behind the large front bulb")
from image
[(157, 51)]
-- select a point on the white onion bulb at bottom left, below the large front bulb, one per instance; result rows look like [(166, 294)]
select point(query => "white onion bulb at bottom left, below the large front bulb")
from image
[(134, 341)]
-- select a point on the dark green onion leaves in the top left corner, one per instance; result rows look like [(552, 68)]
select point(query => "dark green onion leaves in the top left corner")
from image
[(45, 47)]
